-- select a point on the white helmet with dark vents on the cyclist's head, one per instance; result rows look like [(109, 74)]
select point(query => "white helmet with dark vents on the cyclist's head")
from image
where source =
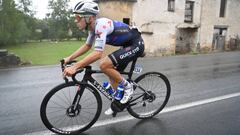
[(86, 8)]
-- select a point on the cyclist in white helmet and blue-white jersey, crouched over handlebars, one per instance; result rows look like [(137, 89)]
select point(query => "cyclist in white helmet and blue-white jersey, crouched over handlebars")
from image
[(106, 31)]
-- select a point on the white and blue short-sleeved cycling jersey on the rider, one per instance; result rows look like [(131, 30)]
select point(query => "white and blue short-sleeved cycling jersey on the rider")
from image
[(110, 32)]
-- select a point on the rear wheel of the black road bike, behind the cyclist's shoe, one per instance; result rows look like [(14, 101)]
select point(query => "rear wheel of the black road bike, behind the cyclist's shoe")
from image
[(150, 96)]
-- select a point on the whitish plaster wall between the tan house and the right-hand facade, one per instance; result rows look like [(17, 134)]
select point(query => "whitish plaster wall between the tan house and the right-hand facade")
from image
[(159, 26)]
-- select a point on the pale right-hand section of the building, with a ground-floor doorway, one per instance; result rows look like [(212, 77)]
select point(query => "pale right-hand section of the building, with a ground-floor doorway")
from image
[(219, 24)]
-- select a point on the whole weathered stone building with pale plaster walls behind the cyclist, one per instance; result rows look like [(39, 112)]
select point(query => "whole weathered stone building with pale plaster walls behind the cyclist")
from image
[(178, 26)]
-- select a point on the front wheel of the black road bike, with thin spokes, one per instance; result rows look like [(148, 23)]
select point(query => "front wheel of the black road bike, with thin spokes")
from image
[(57, 108)]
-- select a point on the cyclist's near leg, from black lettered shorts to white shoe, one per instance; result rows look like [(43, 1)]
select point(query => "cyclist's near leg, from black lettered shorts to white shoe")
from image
[(119, 60)]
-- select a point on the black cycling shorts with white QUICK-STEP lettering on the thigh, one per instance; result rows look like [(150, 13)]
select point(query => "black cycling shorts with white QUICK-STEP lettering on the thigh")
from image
[(123, 56)]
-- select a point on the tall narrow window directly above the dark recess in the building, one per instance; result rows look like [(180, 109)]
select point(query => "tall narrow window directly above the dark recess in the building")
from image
[(189, 11)]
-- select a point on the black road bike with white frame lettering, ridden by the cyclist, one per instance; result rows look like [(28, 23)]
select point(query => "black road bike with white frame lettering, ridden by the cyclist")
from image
[(74, 106)]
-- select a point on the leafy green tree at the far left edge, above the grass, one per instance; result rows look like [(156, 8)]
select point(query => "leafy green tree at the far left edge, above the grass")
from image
[(13, 29)]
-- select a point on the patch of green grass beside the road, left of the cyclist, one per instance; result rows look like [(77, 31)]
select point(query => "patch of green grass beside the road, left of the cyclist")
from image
[(44, 53)]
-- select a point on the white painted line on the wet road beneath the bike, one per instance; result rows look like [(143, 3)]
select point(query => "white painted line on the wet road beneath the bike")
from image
[(166, 110)]
